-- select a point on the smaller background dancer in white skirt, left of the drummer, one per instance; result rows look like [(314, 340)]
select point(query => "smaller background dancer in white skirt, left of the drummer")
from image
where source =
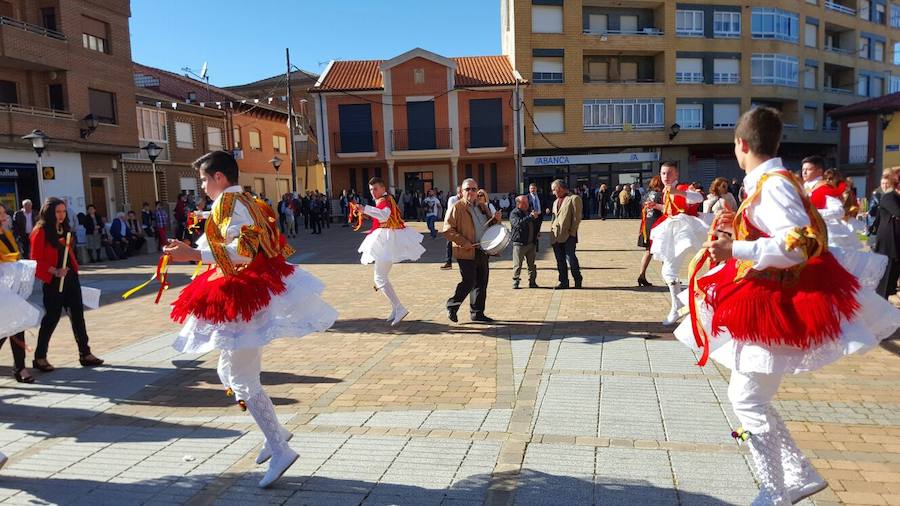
[(389, 241)]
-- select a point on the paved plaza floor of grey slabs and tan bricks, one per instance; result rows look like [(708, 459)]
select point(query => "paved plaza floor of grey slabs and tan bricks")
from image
[(572, 397)]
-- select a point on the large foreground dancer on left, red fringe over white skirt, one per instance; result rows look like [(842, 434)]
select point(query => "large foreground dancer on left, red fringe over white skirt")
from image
[(251, 297)]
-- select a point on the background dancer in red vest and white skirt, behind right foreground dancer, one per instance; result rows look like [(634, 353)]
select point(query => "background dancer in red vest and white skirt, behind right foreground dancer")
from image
[(677, 234)]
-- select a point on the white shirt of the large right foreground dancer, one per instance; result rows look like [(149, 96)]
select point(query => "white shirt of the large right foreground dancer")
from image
[(777, 211)]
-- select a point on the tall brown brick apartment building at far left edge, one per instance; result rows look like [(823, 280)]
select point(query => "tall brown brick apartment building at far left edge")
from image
[(65, 68)]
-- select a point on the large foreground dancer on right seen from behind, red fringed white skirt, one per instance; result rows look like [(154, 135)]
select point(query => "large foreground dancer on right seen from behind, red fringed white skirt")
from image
[(777, 303)]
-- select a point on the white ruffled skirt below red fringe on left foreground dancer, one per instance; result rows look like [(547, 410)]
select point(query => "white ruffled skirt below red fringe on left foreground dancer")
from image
[(294, 313)]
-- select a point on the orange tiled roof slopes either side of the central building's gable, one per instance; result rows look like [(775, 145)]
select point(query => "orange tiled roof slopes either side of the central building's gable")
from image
[(471, 72)]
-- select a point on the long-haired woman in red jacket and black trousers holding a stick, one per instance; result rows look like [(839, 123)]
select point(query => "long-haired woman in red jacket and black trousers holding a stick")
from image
[(48, 248)]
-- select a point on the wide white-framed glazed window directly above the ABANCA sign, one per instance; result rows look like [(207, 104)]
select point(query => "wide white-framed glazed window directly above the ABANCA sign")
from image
[(624, 114)]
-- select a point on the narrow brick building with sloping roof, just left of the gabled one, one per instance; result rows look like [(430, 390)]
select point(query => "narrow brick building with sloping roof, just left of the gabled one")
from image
[(310, 172)]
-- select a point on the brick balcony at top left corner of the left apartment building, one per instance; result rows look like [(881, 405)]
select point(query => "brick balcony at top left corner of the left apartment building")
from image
[(35, 46)]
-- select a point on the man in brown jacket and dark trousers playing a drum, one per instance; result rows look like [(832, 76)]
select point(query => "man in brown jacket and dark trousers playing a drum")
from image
[(464, 226)]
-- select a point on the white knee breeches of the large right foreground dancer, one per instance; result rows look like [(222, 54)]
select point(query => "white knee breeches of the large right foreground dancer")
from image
[(751, 395)]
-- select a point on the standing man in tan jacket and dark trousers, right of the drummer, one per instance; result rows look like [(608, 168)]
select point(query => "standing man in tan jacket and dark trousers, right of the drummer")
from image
[(564, 233)]
